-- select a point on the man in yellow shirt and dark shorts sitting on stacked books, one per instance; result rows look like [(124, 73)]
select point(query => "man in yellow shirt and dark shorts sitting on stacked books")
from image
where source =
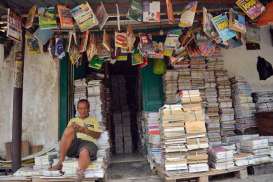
[(79, 139)]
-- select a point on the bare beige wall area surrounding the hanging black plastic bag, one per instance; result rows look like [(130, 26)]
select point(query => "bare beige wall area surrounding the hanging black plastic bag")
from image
[(239, 61)]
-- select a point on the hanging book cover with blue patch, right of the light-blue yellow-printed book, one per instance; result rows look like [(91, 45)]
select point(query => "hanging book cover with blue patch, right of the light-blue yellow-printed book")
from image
[(237, 21)]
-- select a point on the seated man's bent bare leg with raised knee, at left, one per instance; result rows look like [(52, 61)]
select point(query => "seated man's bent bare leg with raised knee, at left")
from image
[(67, 138)]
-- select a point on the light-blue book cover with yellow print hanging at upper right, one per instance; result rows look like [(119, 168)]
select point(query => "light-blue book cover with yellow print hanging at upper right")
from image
[(220, 23)]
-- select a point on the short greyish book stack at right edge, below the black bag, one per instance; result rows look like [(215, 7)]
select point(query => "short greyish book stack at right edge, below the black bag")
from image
[(263, 101)]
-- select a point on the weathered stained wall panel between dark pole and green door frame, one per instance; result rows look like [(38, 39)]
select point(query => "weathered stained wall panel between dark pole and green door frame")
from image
[(40, 100)]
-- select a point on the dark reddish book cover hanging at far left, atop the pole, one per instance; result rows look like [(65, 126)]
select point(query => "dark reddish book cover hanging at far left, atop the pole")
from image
[(14, 26)]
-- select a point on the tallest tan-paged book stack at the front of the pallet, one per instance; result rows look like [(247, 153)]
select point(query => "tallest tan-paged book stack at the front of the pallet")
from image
[(197, 142)]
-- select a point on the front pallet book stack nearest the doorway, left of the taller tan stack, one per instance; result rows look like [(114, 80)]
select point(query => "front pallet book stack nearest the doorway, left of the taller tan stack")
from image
[(173, 138)]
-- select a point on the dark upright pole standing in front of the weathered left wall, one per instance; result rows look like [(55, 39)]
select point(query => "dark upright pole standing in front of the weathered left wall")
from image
[(17, 105)]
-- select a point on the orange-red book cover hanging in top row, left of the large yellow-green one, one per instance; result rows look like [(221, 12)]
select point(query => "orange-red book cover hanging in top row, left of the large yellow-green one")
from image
[(66, 20)]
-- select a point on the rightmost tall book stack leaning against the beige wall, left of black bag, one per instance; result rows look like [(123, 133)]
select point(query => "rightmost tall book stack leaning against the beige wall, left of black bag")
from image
[(243, 105)]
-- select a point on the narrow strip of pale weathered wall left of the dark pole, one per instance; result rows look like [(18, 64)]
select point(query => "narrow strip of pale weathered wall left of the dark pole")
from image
[(6, 96)]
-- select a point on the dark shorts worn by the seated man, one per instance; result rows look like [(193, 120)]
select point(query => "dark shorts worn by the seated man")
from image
[(77, 145)]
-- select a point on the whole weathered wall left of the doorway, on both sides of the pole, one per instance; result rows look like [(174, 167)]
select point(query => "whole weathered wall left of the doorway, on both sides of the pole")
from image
[(40, 100)]
